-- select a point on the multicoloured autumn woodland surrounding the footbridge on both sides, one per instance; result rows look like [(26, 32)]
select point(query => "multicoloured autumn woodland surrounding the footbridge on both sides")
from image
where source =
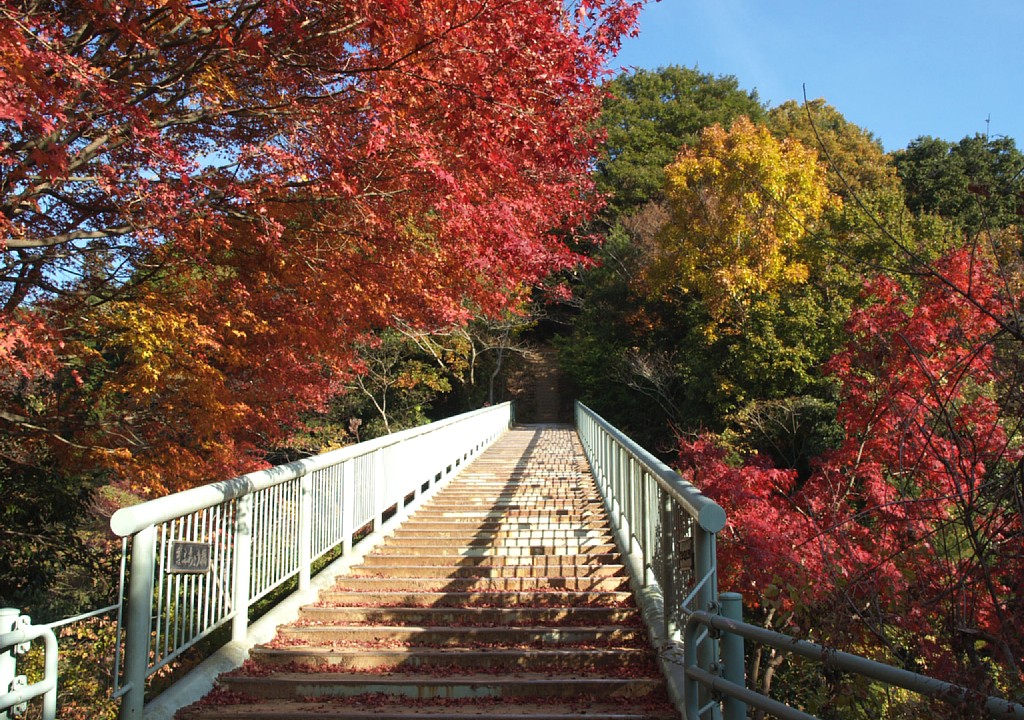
[(237, 233)]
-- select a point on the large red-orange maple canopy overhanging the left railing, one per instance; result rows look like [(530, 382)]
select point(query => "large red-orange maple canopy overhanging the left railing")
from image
[(208, 204)]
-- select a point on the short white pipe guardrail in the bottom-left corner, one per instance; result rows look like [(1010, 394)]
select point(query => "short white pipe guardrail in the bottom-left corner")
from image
[(17, 632)]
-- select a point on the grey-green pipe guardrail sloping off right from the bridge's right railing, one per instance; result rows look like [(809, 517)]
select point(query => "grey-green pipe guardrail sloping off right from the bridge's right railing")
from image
[(922, 685)]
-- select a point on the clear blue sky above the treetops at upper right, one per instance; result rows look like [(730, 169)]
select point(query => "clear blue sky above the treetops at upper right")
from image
[(901, 69)]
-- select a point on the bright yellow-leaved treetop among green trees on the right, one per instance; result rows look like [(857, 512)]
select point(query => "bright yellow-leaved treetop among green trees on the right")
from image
[(741, 203)]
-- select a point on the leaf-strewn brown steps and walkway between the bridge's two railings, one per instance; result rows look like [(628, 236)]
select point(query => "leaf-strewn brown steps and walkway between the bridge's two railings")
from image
[(502, 598)]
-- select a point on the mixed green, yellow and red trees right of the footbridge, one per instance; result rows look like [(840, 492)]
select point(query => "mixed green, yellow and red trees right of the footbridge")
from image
[(826, 338)]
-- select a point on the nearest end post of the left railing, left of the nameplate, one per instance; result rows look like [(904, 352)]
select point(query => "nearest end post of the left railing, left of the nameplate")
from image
[(140, 622)]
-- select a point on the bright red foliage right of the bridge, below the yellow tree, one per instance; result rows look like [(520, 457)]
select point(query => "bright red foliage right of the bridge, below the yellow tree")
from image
[(913, 527)]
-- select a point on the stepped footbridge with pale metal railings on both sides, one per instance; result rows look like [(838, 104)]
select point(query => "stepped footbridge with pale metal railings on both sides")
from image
[(470, 569)]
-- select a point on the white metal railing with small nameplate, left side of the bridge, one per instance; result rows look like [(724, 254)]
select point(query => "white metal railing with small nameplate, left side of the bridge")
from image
[(201, 558)]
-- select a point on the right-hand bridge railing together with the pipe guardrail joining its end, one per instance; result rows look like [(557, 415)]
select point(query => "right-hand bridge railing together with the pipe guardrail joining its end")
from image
[(670, 529)]
